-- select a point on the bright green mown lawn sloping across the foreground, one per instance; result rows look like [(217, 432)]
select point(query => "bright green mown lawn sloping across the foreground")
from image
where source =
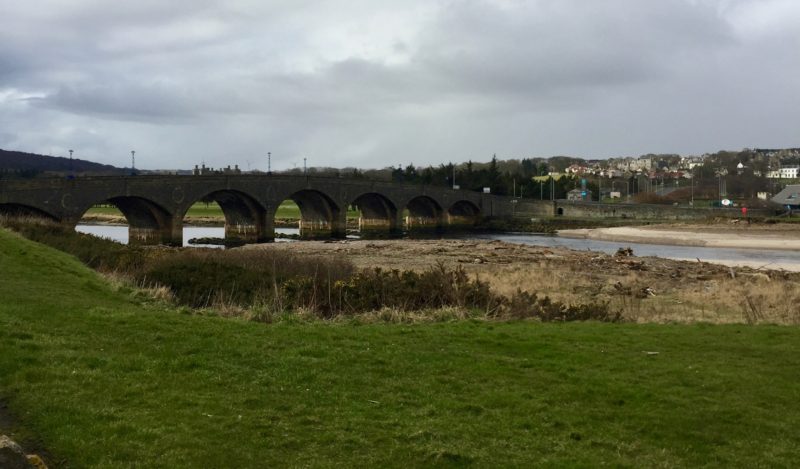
[(102, 377)]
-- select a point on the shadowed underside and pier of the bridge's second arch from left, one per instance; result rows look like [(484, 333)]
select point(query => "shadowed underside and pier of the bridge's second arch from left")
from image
[(148, 222)]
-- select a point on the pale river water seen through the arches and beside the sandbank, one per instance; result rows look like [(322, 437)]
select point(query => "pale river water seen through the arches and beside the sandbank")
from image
[(772, 259)]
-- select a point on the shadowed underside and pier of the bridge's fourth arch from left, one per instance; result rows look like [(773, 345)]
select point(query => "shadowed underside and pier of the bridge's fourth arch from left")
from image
[(320, 216)]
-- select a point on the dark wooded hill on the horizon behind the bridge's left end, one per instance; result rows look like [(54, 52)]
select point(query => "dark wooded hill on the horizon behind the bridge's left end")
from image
[(31, 164)]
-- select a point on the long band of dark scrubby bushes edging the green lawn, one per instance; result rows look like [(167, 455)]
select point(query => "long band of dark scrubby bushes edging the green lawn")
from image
[(273, 282)]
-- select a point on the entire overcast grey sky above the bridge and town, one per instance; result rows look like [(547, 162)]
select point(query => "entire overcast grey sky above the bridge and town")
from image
[(373, 83)]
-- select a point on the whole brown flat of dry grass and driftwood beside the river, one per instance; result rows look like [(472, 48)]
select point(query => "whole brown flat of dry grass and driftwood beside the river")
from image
[(643, 289)]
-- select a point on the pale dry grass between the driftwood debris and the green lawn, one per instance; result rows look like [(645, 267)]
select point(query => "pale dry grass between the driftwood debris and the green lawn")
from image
[(752, 298)]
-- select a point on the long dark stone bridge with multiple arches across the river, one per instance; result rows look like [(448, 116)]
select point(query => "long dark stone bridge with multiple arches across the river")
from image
[(155, 205)]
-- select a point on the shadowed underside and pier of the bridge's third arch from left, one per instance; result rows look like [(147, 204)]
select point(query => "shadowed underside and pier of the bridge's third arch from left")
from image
[(245, 217)]
